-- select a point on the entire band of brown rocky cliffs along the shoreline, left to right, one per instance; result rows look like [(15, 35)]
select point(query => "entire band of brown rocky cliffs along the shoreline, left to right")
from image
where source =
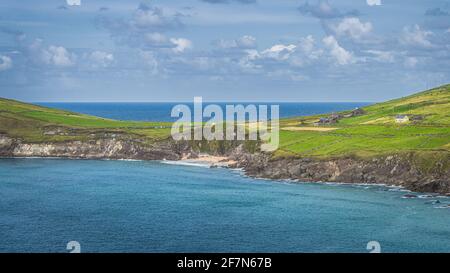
[(391, 170)]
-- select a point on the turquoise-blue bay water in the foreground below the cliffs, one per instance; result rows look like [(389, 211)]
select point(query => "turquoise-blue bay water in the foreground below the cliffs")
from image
[(122, 206)]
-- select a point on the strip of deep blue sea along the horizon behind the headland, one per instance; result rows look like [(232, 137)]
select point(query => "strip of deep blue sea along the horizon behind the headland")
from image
[(161, 111)]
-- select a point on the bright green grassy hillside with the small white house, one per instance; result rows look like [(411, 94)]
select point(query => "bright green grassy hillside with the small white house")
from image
[(376, 131)]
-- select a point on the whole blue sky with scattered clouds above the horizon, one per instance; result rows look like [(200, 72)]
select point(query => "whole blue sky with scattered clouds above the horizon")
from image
[(222, 50)]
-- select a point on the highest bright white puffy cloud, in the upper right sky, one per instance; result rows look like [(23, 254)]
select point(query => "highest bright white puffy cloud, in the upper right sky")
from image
[(353, 28)]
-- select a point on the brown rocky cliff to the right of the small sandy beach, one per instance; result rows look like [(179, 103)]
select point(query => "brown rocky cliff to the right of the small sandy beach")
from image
[(390, 170)]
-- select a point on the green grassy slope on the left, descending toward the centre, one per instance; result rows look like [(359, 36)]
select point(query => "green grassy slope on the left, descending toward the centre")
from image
[(33, 123)]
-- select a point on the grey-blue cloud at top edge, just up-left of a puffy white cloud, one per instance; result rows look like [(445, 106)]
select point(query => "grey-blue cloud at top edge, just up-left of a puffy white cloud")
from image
[(323, 10)]
